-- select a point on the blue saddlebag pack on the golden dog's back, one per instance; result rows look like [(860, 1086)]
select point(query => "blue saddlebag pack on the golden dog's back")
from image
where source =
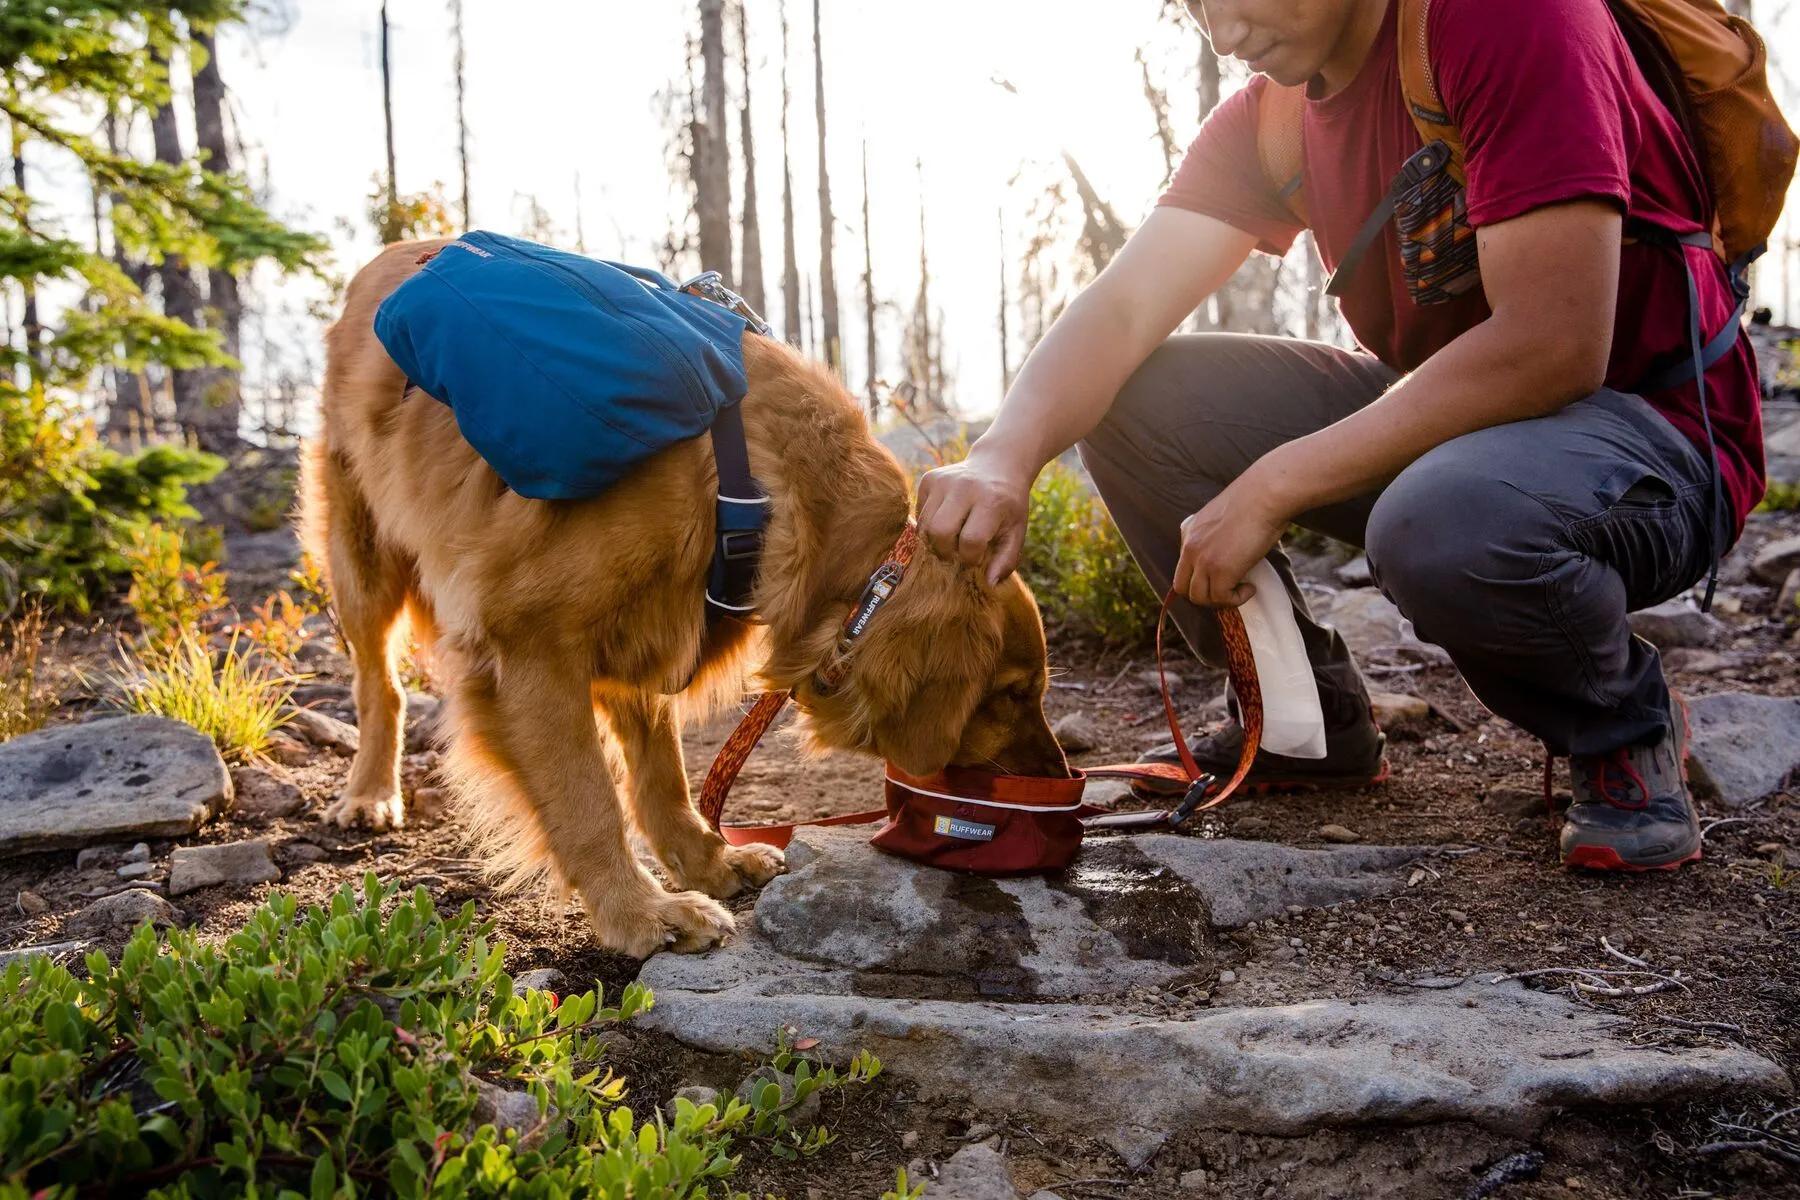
[(564, 372)]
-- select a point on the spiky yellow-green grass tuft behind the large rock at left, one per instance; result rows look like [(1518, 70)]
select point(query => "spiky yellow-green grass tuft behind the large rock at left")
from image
[(237, 703)]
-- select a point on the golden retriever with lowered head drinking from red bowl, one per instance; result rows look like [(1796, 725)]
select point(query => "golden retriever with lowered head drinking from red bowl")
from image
[(571, 634)]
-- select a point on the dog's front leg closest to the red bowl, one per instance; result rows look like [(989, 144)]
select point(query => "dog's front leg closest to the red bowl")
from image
[(658, 785)]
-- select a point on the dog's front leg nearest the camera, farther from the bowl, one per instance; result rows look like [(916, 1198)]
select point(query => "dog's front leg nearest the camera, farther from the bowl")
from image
[(534, 717)]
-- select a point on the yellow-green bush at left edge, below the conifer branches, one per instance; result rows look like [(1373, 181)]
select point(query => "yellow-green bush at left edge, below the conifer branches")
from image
[(71, 508)]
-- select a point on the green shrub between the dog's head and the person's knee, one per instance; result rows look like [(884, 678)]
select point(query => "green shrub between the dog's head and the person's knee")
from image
[(1079, 568)]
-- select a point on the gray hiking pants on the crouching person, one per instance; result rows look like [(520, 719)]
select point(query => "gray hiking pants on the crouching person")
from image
[(1518, 550)]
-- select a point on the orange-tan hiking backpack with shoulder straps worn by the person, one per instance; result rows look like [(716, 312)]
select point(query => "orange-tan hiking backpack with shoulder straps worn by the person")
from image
[(1709, 67)]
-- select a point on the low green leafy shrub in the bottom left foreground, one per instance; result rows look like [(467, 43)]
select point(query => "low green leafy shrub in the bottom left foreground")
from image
[(330, 1053)]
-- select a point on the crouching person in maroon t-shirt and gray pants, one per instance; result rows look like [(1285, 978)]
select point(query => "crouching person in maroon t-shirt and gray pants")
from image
[(1551, 422)]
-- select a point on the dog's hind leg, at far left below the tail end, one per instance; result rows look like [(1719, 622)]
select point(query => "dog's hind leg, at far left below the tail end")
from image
[(368, 589)]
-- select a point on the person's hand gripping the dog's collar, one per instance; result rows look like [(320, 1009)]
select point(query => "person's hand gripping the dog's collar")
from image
[(975, 512)]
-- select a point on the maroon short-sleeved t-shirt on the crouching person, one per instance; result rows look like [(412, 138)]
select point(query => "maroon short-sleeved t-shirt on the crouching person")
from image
[(1552, 109)]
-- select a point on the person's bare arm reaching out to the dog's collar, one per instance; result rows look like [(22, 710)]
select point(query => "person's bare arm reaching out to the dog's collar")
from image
[(976, 510)]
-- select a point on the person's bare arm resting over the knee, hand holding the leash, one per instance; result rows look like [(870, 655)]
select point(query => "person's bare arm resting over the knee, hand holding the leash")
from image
[(1552, 285)]
